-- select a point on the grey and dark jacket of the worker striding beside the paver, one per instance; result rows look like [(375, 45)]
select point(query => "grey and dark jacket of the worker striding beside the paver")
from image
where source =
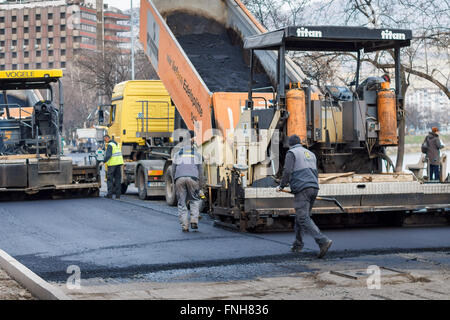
[(300, 170)]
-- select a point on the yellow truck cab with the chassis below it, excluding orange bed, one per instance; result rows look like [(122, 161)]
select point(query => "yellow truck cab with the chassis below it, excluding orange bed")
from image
[(141, 118)]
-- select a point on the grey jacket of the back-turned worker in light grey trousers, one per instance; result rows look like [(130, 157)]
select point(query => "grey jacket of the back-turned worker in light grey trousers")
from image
[(187, 162)]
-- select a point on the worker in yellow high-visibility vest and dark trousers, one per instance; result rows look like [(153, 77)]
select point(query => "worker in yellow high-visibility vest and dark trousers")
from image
[(114, 161)]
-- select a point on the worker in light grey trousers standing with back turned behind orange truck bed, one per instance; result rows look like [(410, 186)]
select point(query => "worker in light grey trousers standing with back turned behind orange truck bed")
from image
[(188, 175)]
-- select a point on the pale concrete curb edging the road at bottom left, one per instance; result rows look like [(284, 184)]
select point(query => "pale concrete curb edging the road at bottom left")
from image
[(28, 279)]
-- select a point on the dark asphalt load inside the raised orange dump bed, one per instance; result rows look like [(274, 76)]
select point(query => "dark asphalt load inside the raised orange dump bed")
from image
[(216, 52)]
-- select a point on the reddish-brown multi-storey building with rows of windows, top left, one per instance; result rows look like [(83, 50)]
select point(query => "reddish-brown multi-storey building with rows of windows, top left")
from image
[(47, 34)]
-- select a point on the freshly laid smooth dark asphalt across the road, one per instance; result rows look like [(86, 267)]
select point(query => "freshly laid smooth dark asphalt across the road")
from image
[(129, 237)]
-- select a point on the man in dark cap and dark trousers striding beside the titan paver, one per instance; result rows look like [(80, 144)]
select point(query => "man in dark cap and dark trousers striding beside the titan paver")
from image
[(300, 173)]
